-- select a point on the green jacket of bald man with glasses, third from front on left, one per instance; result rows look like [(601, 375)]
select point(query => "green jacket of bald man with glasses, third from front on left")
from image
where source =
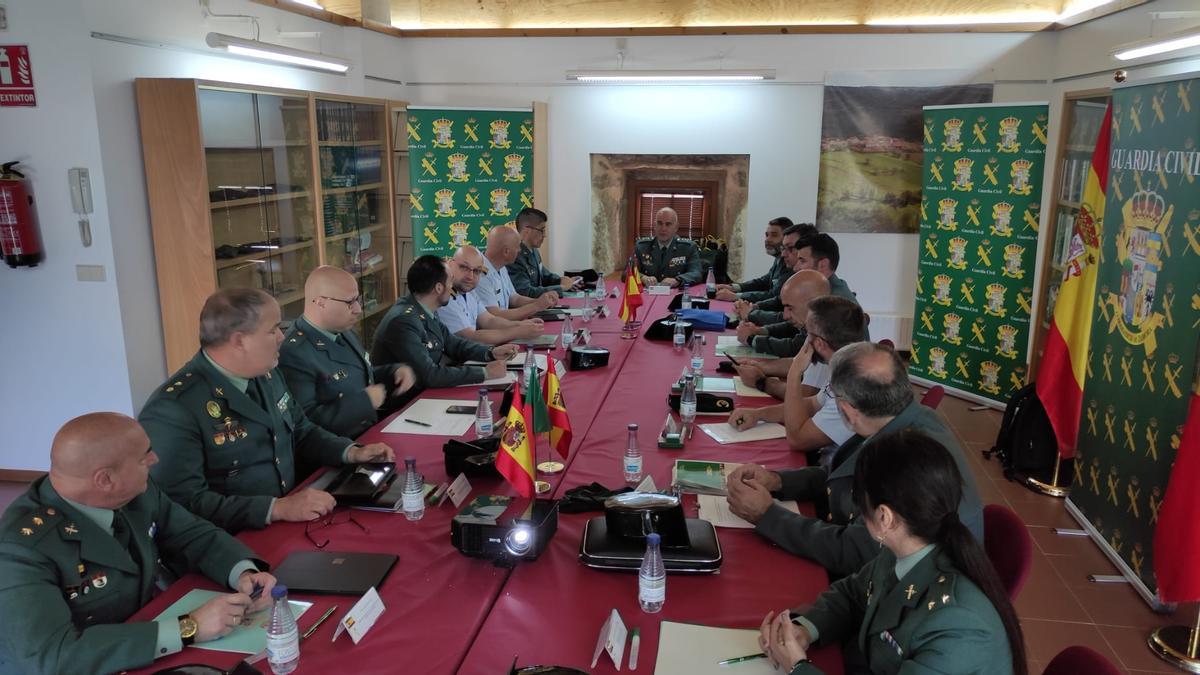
[(329, 379)]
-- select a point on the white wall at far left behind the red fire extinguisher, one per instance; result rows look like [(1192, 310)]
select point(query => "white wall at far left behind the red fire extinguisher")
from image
[(63, 350)]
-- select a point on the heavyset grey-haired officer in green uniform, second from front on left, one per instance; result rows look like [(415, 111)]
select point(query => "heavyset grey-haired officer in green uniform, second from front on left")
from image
[(232, 440)]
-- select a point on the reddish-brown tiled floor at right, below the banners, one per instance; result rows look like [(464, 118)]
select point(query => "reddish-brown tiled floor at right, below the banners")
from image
[(1059, 607)]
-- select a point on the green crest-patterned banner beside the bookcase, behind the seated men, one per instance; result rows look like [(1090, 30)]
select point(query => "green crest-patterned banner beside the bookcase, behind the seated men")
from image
[(470, 171)]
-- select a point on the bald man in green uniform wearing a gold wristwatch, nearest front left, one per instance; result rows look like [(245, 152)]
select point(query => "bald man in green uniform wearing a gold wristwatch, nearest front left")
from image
[(80, 555)]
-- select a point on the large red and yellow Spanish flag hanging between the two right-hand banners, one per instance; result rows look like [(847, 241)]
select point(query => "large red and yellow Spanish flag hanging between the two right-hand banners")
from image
[(1060, 383)]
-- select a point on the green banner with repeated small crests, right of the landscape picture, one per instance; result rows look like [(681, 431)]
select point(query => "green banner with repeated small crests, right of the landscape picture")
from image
[(980, 213)]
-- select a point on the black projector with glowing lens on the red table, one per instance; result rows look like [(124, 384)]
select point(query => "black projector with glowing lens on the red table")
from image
[(481, 531)]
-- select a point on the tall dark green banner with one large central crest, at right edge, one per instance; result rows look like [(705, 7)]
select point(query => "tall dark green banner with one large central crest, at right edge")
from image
[(1147, 324)]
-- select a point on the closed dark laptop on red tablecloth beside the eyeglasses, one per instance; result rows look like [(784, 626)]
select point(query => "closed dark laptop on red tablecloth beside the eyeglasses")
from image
[(334, 572)]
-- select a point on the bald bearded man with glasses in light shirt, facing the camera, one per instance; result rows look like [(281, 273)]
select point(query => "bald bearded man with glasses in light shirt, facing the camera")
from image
[(466, 318)]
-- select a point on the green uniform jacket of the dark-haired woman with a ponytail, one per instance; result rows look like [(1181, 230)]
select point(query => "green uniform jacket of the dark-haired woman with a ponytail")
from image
[(932, 622)]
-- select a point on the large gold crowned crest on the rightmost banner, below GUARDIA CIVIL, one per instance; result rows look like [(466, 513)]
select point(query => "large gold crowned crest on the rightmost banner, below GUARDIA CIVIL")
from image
[(1141, 250)]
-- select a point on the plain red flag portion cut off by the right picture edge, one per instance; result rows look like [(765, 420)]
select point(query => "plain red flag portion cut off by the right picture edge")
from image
[(1178, 533)]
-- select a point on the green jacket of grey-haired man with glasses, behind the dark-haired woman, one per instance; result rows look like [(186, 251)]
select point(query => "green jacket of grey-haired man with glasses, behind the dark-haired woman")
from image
[(839, 542)]
